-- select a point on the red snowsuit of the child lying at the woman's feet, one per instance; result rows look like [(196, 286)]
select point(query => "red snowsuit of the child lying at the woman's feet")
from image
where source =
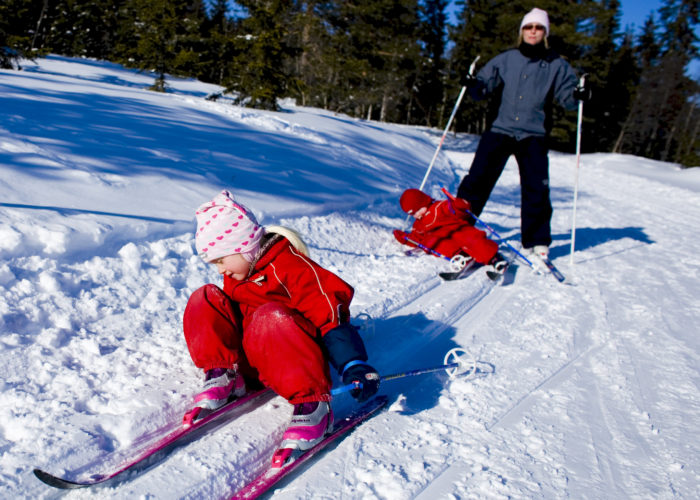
[(446, 229)]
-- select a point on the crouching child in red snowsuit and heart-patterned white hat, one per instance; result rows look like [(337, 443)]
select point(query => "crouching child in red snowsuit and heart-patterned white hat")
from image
[(279, 320)]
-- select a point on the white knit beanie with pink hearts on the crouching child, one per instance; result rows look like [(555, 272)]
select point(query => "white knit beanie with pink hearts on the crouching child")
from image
[(225, 227)]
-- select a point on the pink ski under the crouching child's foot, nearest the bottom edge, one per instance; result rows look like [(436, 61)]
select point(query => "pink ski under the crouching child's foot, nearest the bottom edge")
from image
[(272, 475)]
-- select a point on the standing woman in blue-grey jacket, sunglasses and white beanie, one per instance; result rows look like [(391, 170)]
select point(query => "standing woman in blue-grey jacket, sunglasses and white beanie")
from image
[(527, 79)]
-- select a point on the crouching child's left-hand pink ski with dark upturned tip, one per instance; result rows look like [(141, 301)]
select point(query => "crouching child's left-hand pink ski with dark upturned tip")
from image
[(151, 444)]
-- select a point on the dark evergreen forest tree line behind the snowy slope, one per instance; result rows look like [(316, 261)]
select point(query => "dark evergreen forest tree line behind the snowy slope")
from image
[(389, 60)]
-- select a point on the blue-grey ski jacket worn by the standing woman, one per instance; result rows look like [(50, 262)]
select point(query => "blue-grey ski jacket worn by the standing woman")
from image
[(526, 87)]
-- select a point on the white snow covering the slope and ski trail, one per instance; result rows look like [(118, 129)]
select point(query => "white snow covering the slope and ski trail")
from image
[(584, 390)]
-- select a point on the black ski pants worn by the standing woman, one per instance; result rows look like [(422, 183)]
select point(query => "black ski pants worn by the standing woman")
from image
[(533, 163)]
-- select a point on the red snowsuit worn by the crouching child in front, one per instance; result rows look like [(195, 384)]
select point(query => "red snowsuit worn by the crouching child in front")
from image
[(270, 324)]
